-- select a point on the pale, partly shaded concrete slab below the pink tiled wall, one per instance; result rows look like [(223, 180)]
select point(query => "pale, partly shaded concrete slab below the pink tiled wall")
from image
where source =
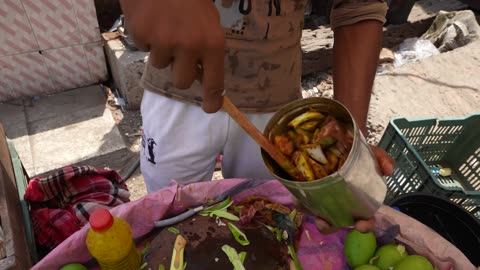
[(72, 127)]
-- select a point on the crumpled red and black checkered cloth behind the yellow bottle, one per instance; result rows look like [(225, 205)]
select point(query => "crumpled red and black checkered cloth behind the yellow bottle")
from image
[(62, 202)]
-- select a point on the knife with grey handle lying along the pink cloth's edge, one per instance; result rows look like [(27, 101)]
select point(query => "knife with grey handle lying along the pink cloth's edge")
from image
[(250, 183)]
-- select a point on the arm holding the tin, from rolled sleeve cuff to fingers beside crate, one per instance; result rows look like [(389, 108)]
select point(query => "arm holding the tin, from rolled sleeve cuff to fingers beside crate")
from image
[(357, 28)]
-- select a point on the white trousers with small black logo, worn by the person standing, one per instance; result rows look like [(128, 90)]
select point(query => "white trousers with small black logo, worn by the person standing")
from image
[(183, 142)]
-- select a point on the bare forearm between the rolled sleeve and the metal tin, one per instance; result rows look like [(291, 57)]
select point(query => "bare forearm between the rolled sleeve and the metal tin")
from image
[(356, 52)]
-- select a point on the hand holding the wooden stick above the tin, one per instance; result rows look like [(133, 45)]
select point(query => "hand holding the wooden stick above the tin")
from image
[(185, 35)]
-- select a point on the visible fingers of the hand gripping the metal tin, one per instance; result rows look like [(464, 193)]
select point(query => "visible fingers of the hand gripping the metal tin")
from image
[(387, 165)]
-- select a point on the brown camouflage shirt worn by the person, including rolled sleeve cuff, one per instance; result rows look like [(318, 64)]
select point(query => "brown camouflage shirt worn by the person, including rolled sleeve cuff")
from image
[(262, 52)]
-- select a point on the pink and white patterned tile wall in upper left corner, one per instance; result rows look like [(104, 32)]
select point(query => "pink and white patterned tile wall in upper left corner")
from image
[(48, 46)]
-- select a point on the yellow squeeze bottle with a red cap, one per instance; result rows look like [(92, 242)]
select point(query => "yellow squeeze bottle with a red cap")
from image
[(110, 242)]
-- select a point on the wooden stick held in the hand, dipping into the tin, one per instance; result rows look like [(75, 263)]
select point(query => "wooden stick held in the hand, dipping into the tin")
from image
[(278, 156)]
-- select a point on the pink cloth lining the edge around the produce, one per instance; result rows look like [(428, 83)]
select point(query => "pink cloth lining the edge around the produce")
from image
[(319, 252)]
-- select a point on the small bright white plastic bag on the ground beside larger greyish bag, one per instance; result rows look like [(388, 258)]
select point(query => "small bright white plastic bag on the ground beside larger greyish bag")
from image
[(414, 49)]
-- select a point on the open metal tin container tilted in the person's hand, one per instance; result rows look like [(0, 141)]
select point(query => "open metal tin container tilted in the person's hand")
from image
[(356, 191)]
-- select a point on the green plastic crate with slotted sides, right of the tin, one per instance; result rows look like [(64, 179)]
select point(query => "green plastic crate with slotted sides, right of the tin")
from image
[(419, 146)]
